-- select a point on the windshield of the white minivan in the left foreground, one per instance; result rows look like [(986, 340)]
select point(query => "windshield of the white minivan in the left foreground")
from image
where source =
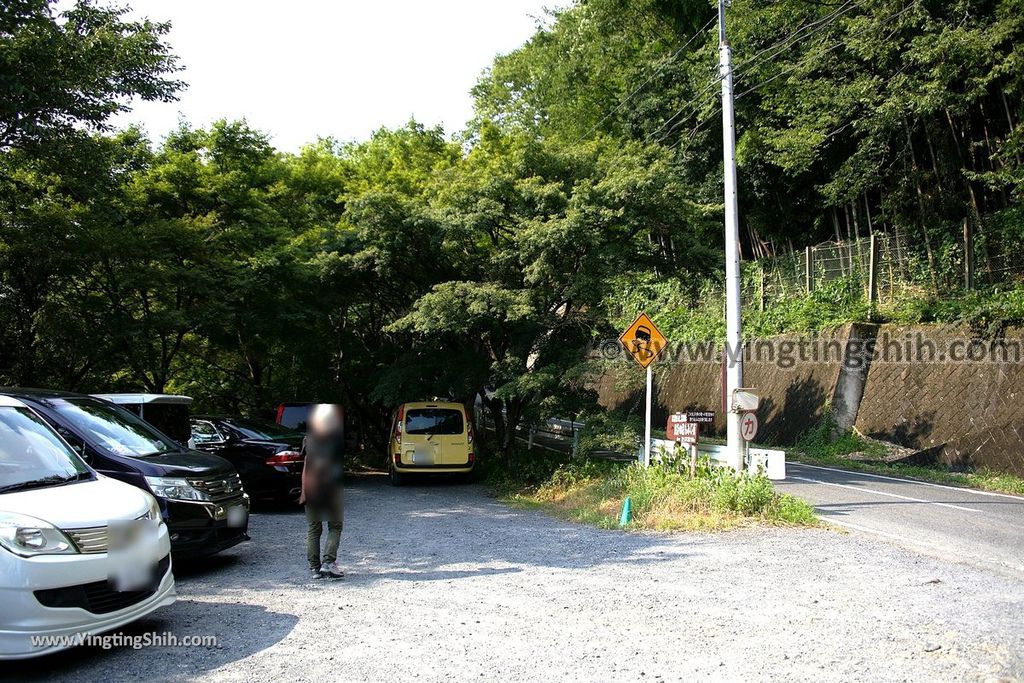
[(32, 454)]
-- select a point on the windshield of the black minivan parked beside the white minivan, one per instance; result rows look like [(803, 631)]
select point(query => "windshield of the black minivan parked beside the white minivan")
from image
[(115, 429)]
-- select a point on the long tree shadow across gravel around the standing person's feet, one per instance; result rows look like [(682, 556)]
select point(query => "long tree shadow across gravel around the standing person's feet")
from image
[(435, 530)]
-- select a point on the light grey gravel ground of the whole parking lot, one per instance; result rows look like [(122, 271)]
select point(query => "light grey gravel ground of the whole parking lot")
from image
[(447, 584)]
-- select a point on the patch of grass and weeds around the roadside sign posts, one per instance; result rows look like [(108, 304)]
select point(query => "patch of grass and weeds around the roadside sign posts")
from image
[(664, 498)]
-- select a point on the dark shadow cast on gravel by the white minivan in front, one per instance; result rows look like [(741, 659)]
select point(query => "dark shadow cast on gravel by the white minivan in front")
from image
[(232, 624)]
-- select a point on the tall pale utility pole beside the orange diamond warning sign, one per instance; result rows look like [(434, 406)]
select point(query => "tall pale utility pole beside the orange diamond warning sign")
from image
[(735, 350)]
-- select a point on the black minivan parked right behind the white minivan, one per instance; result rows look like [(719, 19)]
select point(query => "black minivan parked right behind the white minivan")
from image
[(201, 496)]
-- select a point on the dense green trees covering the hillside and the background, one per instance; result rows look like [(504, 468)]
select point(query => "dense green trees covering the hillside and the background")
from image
[(418, 263)]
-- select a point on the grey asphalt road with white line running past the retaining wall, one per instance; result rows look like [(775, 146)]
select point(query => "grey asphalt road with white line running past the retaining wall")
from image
[(960, 525)]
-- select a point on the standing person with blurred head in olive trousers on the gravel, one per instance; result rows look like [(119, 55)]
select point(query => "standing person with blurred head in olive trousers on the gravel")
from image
[(324, 448)]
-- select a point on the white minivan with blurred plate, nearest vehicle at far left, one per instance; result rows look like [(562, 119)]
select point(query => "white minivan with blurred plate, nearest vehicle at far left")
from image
[(80, 553)]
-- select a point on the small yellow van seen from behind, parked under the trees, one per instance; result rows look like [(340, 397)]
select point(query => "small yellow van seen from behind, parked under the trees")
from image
[(431, 438)]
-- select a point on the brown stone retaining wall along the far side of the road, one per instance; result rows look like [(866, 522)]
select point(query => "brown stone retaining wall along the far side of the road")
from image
[(956, 412)]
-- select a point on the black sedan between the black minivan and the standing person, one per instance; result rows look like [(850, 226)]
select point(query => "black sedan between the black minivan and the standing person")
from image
[(268, 456)]
